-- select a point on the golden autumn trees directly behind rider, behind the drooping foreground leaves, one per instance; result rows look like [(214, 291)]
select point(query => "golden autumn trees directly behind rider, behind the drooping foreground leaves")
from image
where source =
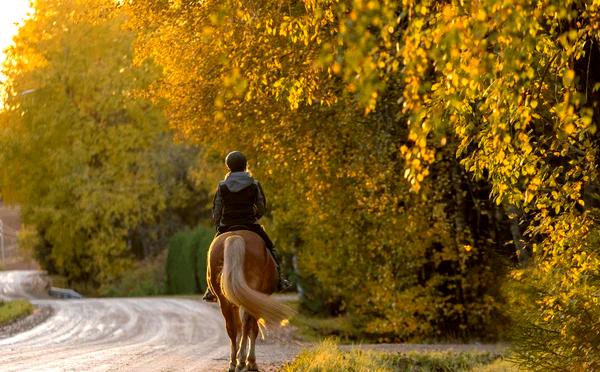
[(267, 78)]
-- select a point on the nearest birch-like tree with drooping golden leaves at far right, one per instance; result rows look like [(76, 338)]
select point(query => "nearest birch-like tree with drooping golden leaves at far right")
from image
[(514, 83)]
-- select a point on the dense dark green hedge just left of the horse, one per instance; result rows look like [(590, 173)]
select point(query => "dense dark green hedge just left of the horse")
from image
[(186, 260)]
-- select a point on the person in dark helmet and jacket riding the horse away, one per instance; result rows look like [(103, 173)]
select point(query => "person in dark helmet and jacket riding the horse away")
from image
[(238, 204)]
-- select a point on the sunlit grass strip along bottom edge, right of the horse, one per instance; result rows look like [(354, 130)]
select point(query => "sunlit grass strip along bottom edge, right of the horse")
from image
[(328, 357)]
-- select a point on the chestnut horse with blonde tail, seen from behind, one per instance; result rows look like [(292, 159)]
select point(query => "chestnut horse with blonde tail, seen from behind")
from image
[(242, 274)]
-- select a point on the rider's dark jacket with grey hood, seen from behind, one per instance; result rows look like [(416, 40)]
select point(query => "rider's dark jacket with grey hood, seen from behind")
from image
[(239, 200)]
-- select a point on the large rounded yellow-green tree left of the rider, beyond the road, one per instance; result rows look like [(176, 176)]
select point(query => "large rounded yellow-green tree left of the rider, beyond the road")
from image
[(90, 161)]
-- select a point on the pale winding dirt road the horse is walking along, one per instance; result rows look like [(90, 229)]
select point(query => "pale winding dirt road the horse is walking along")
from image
[(122, 334)]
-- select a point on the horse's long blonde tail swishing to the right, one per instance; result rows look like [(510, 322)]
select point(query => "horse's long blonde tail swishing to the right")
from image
[(236, 289)]
